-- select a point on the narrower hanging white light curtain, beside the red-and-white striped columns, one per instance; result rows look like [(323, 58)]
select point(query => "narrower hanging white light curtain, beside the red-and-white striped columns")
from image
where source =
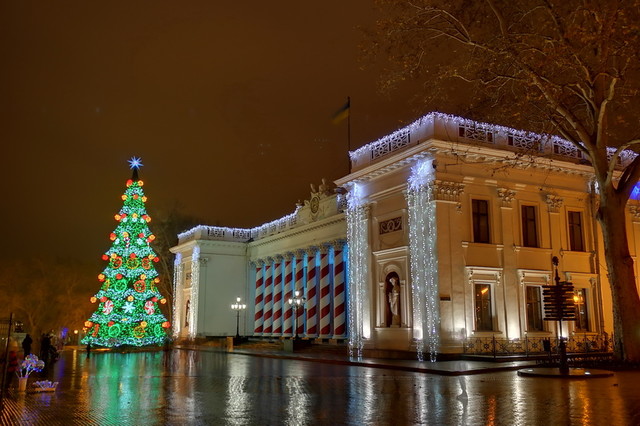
[(357, 255)]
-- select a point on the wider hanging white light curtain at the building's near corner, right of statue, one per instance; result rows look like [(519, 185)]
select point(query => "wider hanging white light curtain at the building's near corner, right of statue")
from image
[(423, 258)]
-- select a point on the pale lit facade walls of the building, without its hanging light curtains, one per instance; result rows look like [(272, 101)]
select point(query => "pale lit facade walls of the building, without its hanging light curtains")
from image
[(500, 168)]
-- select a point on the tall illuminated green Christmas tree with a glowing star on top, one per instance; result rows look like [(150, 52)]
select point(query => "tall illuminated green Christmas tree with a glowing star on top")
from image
[(128, 311)]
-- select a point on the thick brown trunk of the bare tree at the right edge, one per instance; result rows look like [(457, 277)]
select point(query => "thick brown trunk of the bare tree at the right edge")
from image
[(620, 267)]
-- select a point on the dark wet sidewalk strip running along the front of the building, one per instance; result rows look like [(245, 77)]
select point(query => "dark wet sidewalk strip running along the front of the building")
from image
[(443, 368)]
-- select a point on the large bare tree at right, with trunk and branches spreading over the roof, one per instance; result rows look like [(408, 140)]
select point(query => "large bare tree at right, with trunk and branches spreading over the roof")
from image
[(570, 68)]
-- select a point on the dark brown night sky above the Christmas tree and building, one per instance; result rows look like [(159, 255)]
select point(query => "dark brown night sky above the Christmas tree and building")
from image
[(227, 103)]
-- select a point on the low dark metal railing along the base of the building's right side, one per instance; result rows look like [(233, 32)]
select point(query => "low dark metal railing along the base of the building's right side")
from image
[(535, 345)]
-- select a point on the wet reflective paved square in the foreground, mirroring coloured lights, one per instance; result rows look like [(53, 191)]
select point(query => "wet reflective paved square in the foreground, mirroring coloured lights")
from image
[(190, 387)]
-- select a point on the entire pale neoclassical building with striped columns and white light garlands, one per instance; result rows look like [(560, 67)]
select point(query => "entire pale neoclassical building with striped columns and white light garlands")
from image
[(438, 241)]
